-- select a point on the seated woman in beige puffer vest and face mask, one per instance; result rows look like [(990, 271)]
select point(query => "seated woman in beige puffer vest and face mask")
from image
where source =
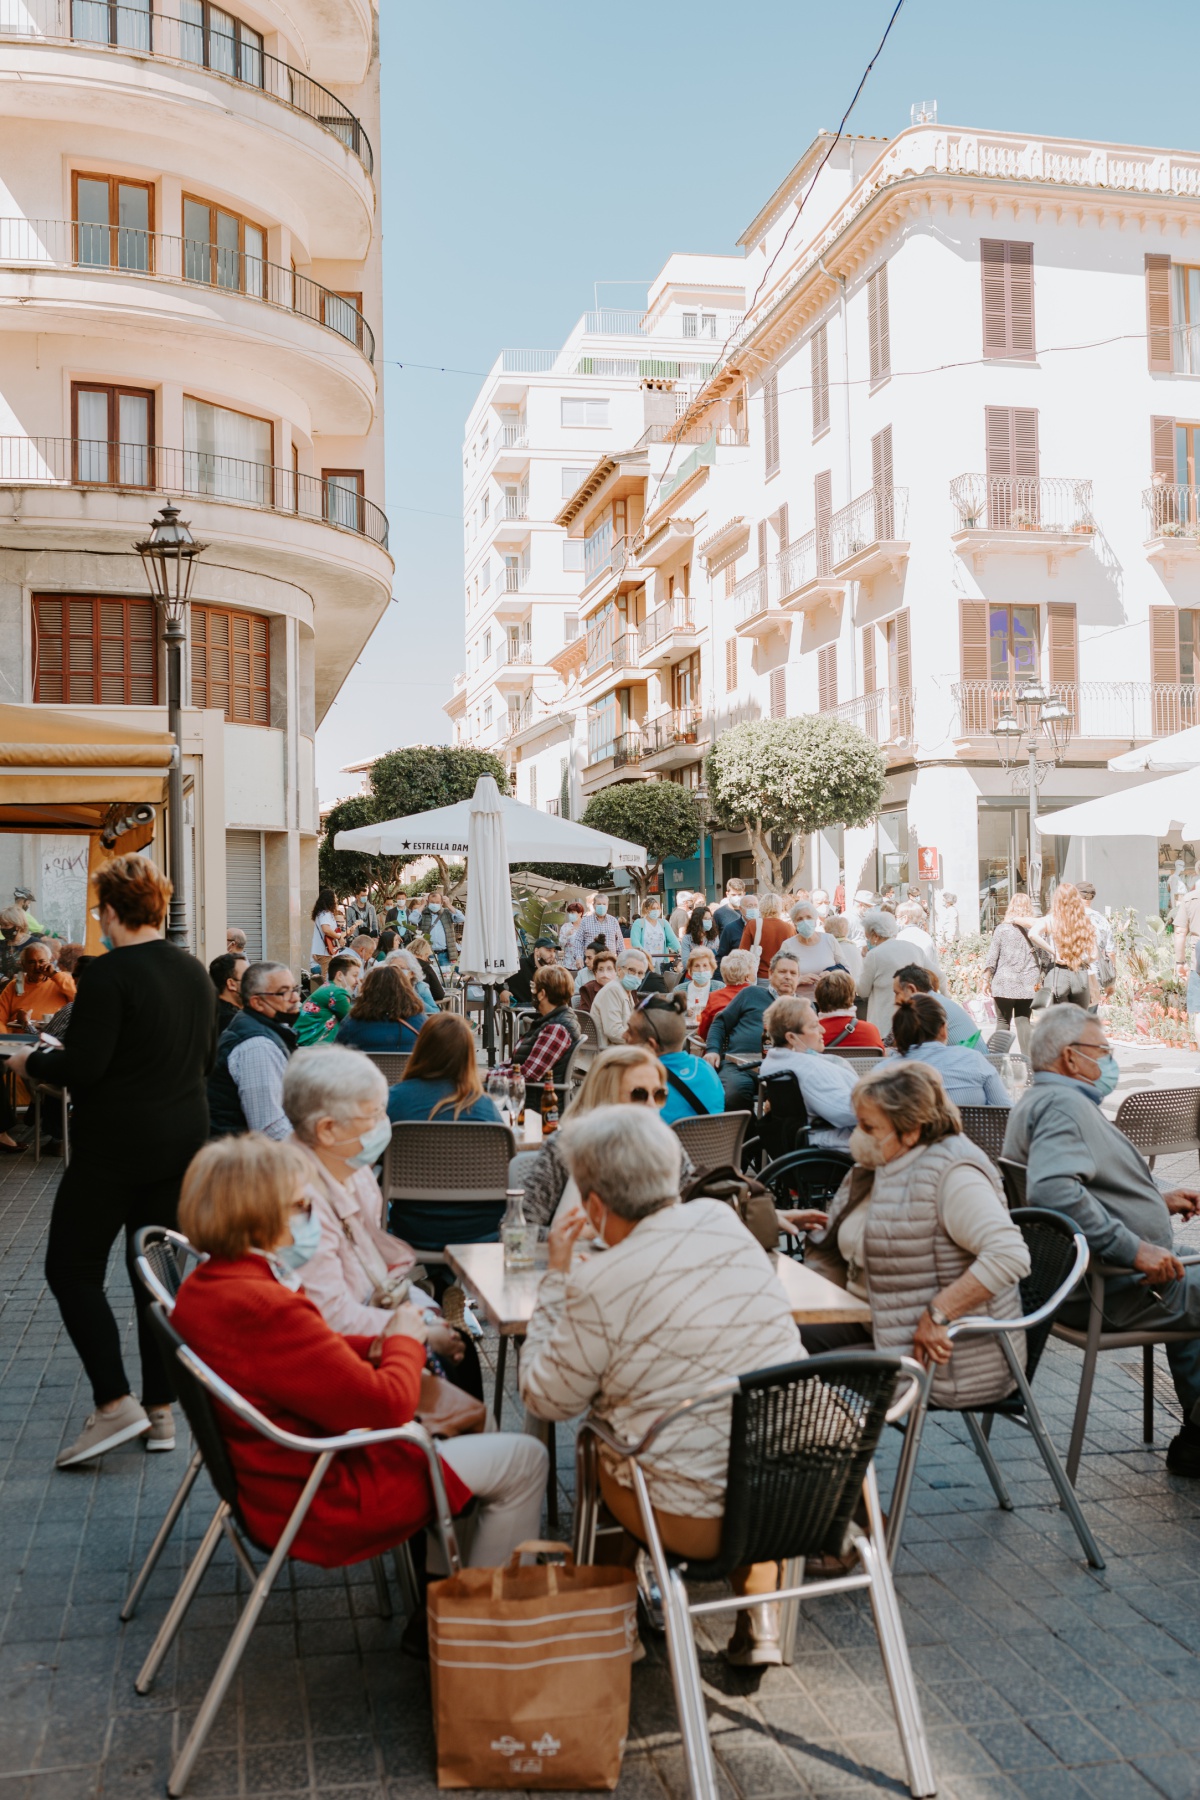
[(920, 1230)]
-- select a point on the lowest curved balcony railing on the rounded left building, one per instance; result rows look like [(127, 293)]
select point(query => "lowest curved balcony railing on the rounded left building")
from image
[(199, 474)]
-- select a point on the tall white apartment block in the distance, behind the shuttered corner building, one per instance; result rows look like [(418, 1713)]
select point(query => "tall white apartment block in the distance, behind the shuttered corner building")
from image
[(535, 433)]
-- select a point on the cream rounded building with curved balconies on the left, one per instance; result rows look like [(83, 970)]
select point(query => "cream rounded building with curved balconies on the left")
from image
[(192, 307)]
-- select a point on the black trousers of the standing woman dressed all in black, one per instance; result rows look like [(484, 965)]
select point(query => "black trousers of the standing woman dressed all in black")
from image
[(91, 1209)]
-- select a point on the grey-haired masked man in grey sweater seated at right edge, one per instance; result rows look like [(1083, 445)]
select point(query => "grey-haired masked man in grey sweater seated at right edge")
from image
[(1079, 1164)]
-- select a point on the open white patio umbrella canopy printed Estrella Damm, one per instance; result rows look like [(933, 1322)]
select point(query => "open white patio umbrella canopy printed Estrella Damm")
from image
[(532, 836)]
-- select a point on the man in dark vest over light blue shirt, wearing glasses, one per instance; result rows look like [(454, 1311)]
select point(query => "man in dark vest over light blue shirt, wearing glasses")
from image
[(246, 1088)]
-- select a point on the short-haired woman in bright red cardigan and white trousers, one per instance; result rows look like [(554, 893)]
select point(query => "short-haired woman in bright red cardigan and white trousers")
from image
[(246, 1315)]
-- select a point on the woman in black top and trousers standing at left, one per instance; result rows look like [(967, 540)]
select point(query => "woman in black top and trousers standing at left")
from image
[(143, 1039)]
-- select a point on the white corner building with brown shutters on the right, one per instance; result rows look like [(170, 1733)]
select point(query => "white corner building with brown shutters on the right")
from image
[(949, 451)]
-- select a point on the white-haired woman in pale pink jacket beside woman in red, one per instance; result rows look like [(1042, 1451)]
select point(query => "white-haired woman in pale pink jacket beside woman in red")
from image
[(359, 1273)]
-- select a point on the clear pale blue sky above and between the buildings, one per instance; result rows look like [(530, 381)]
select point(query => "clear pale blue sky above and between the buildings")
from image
[(533, 150)]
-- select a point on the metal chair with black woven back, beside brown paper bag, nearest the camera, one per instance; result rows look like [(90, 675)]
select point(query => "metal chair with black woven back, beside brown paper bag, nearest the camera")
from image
[(801, 1450)]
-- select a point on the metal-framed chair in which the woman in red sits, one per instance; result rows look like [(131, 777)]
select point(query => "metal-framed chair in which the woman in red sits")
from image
[(199, 1390)]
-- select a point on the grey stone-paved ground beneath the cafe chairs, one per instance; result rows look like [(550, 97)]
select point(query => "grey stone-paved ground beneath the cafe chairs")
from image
[(1039, 1678)]
